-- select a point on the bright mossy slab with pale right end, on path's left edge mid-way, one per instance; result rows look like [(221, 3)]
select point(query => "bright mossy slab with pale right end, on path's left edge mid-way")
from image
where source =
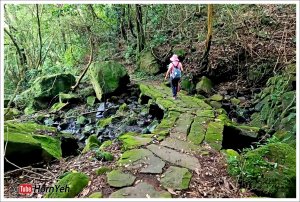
[(133, 140)]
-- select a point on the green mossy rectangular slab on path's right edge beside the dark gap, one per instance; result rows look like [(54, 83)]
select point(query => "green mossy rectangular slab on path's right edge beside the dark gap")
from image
[(214, 135)]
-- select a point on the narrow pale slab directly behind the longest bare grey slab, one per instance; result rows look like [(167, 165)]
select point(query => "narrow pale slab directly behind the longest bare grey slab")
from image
[(180, 145)]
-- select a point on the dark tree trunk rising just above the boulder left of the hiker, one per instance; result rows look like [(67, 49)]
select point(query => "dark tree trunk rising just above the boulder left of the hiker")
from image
[(139, 28)]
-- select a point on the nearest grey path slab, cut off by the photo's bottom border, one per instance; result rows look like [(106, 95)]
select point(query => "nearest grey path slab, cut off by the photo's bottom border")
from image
[(141, 190)]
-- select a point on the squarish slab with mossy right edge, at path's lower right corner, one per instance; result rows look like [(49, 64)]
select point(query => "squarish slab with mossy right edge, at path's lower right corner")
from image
[(176, 178)]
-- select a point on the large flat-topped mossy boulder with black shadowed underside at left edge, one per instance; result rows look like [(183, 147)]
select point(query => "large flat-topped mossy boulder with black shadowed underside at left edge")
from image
[(30, 142)]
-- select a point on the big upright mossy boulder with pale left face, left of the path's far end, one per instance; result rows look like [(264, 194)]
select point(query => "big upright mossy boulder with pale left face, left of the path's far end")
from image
[(107, 77)]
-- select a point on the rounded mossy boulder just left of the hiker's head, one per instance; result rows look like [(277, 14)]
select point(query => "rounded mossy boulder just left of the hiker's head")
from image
[(147, 63)]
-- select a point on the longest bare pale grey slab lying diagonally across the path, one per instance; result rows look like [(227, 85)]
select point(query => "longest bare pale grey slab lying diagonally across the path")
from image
[(175, 157)]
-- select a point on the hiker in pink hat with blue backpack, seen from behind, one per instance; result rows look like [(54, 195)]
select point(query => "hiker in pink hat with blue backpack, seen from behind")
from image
[(174, 71)]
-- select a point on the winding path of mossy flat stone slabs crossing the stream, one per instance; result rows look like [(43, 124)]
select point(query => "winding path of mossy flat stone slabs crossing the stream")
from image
[(188, 123)]
